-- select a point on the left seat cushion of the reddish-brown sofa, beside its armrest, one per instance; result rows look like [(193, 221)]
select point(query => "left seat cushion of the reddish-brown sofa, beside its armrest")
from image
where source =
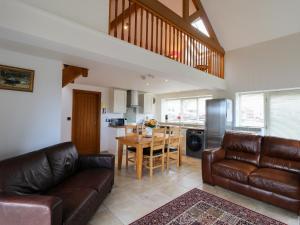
[(233, 170)]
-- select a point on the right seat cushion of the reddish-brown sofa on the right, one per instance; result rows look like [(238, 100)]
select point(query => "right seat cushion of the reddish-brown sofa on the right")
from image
[(276, 181)]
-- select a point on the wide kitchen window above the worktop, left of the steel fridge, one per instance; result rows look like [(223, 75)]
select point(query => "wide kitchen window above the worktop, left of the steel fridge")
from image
[(189, 110)]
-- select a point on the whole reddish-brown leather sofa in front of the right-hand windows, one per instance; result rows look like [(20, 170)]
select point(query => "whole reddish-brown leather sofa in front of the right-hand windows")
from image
[(265, 168)]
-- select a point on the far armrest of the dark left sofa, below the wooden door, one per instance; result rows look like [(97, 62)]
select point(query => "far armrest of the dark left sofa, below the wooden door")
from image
[(97, 161)]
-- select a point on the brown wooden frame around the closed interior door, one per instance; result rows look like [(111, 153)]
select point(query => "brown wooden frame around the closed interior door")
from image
[(98, 114)]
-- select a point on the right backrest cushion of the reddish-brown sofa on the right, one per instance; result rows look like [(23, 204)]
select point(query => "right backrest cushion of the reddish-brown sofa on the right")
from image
[(280, 153)]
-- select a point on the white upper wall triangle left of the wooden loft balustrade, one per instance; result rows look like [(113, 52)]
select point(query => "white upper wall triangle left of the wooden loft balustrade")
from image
[(90, 13)]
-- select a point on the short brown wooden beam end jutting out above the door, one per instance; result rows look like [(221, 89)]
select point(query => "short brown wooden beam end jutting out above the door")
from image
[(70, 73)]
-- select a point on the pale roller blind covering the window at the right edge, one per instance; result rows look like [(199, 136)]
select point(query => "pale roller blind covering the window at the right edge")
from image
[(284, 117)]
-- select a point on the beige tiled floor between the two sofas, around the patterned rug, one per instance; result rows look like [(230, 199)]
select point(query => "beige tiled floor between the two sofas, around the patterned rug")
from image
[(131, 199)]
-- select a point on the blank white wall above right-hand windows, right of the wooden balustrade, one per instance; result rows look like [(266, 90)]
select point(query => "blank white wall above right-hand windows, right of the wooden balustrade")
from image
[(265, 66)]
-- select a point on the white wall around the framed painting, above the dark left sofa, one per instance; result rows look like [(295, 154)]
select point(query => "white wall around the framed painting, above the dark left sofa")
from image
[(29, 121)]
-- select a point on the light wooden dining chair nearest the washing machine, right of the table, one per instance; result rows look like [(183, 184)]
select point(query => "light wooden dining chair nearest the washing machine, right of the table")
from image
[(173, 146)]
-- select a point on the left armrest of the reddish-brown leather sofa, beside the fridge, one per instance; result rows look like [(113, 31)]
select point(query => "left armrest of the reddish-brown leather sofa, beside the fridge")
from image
[(209, 157)]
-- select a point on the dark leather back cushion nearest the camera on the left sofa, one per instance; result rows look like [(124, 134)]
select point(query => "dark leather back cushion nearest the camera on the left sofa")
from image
[(26, 174)]
